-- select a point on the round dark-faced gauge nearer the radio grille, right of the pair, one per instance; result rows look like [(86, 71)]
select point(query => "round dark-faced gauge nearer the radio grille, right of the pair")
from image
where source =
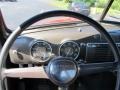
[(69, 49)]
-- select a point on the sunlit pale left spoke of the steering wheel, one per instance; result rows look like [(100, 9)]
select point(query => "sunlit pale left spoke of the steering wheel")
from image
[(30, 72)]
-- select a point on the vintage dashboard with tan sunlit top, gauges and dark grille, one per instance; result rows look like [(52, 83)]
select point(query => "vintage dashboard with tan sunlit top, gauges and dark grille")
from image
[(81, 43)]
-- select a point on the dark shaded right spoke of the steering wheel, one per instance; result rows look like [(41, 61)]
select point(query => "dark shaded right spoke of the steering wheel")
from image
[(92, 68)]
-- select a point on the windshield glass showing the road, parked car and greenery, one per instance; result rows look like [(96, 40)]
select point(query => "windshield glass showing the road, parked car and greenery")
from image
[(16, 12)]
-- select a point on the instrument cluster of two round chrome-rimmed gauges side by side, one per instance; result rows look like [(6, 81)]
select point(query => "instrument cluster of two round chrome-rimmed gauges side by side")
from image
[(42, 51)]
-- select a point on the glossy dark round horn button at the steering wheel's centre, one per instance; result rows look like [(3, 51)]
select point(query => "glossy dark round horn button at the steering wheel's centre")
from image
[(62, 71)]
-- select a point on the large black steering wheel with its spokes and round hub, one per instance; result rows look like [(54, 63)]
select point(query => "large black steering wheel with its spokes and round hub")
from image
[(61, 71)]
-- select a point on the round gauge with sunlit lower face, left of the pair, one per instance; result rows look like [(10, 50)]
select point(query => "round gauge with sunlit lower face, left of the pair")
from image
[(41, 51)]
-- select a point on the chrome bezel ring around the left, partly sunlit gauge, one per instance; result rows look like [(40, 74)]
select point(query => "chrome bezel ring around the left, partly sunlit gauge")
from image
[(39, 60)]
